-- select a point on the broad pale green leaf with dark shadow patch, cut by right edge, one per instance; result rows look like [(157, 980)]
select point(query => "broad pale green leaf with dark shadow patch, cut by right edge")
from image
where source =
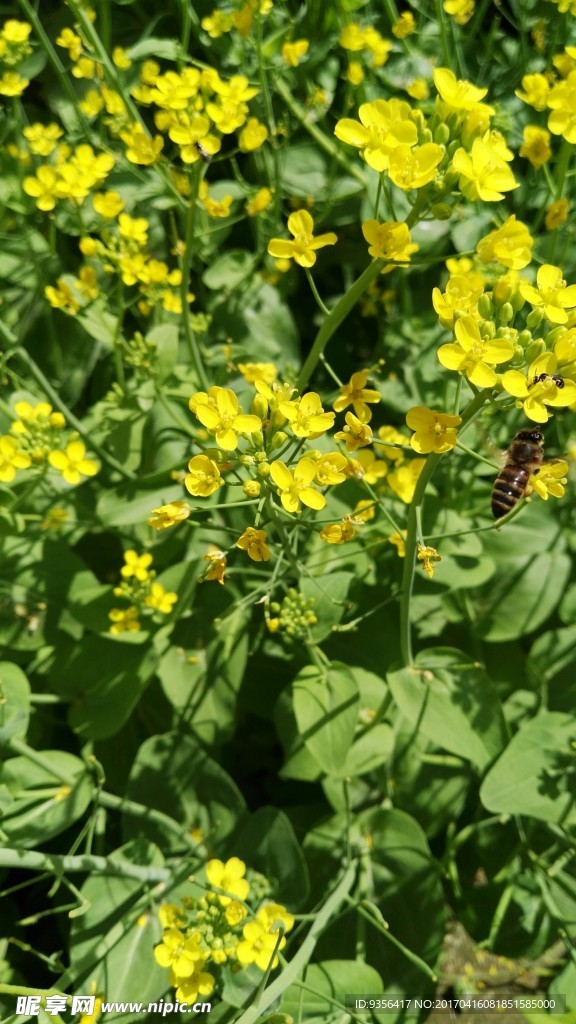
[(534, 776)]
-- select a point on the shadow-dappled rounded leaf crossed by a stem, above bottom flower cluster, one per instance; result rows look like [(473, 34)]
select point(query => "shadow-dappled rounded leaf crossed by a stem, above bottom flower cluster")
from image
[(174, 775)]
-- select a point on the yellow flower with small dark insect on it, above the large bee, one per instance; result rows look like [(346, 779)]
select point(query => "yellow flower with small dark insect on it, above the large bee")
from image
[(540, 389)]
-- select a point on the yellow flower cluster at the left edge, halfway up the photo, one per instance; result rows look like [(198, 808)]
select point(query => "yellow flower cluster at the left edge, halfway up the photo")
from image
[(37, 441)]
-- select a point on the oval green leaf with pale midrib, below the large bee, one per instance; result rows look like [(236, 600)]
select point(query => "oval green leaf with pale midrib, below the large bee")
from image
[(521, 599)]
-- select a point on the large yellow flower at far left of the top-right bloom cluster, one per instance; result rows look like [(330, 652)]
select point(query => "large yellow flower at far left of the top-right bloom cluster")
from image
[(384, 125)]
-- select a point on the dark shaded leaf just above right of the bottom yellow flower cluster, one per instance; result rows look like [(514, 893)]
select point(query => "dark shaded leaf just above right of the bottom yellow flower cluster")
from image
[(267, 842)]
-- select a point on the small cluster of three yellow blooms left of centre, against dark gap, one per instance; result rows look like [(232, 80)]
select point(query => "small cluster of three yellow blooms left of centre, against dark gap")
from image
[(145, 595)]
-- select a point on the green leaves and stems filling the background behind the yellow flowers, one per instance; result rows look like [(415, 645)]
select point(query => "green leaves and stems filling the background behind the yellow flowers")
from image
[(390, 805)]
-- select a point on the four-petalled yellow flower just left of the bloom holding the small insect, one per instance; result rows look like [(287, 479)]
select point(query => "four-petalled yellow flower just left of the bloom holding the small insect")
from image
[(474, 356)]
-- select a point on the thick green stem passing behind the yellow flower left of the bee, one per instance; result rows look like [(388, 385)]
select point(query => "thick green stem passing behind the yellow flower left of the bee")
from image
[(413, 531)]
